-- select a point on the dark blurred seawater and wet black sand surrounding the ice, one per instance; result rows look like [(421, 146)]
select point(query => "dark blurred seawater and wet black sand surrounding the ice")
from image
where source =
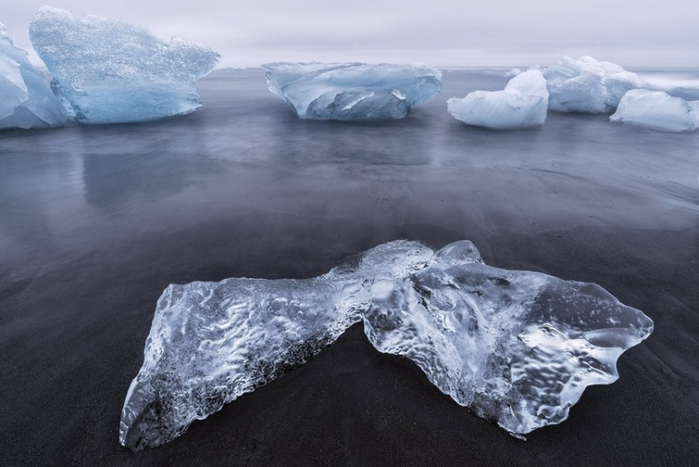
[(95, 221)]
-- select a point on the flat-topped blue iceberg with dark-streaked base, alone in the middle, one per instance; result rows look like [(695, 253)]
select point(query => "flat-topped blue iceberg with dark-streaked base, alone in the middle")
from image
[(352, 91)]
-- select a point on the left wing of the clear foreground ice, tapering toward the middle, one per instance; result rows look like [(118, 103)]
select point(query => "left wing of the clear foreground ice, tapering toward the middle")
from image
[(212, 342)]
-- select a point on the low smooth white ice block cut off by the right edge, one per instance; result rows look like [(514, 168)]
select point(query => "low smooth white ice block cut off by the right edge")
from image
[(657, 110)]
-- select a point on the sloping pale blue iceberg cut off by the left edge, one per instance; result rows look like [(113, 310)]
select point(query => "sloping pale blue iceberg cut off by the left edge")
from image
[(26, 99)]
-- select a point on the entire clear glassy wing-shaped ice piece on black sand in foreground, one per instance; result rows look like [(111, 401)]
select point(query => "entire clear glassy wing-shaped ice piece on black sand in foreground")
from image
[(516, 347)]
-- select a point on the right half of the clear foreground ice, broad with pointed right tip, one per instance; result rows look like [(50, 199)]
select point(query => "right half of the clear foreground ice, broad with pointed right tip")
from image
[(516, 347)]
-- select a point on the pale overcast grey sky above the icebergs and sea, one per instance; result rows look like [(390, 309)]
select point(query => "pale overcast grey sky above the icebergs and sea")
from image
[(442, 33)]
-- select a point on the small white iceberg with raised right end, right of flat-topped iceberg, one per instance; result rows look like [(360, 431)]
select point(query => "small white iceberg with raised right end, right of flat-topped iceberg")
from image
[(523, 104)]
